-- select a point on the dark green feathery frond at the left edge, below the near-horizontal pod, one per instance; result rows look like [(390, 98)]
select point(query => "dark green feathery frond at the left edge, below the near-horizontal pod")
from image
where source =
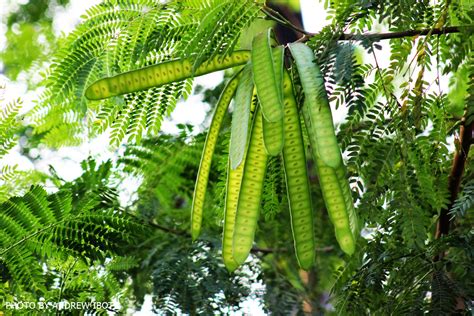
[(81, 219)]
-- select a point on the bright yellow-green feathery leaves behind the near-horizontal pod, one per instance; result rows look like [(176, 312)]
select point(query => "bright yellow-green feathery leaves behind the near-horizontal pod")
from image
[(117, 36)]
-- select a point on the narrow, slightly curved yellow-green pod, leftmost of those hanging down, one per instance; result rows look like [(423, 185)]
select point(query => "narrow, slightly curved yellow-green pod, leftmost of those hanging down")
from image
[(207, 153)]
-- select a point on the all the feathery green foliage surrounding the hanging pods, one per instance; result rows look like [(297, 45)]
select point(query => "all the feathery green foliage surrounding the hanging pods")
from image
[(77, 241)]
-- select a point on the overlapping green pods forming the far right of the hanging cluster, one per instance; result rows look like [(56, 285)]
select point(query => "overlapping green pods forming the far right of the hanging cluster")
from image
[(330, 168)]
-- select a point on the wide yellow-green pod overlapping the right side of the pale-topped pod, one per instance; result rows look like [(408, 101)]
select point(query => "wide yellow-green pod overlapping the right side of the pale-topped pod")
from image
[(250, 196)]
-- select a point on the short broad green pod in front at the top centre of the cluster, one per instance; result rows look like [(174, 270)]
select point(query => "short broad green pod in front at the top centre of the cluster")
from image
[(264, 77)]
